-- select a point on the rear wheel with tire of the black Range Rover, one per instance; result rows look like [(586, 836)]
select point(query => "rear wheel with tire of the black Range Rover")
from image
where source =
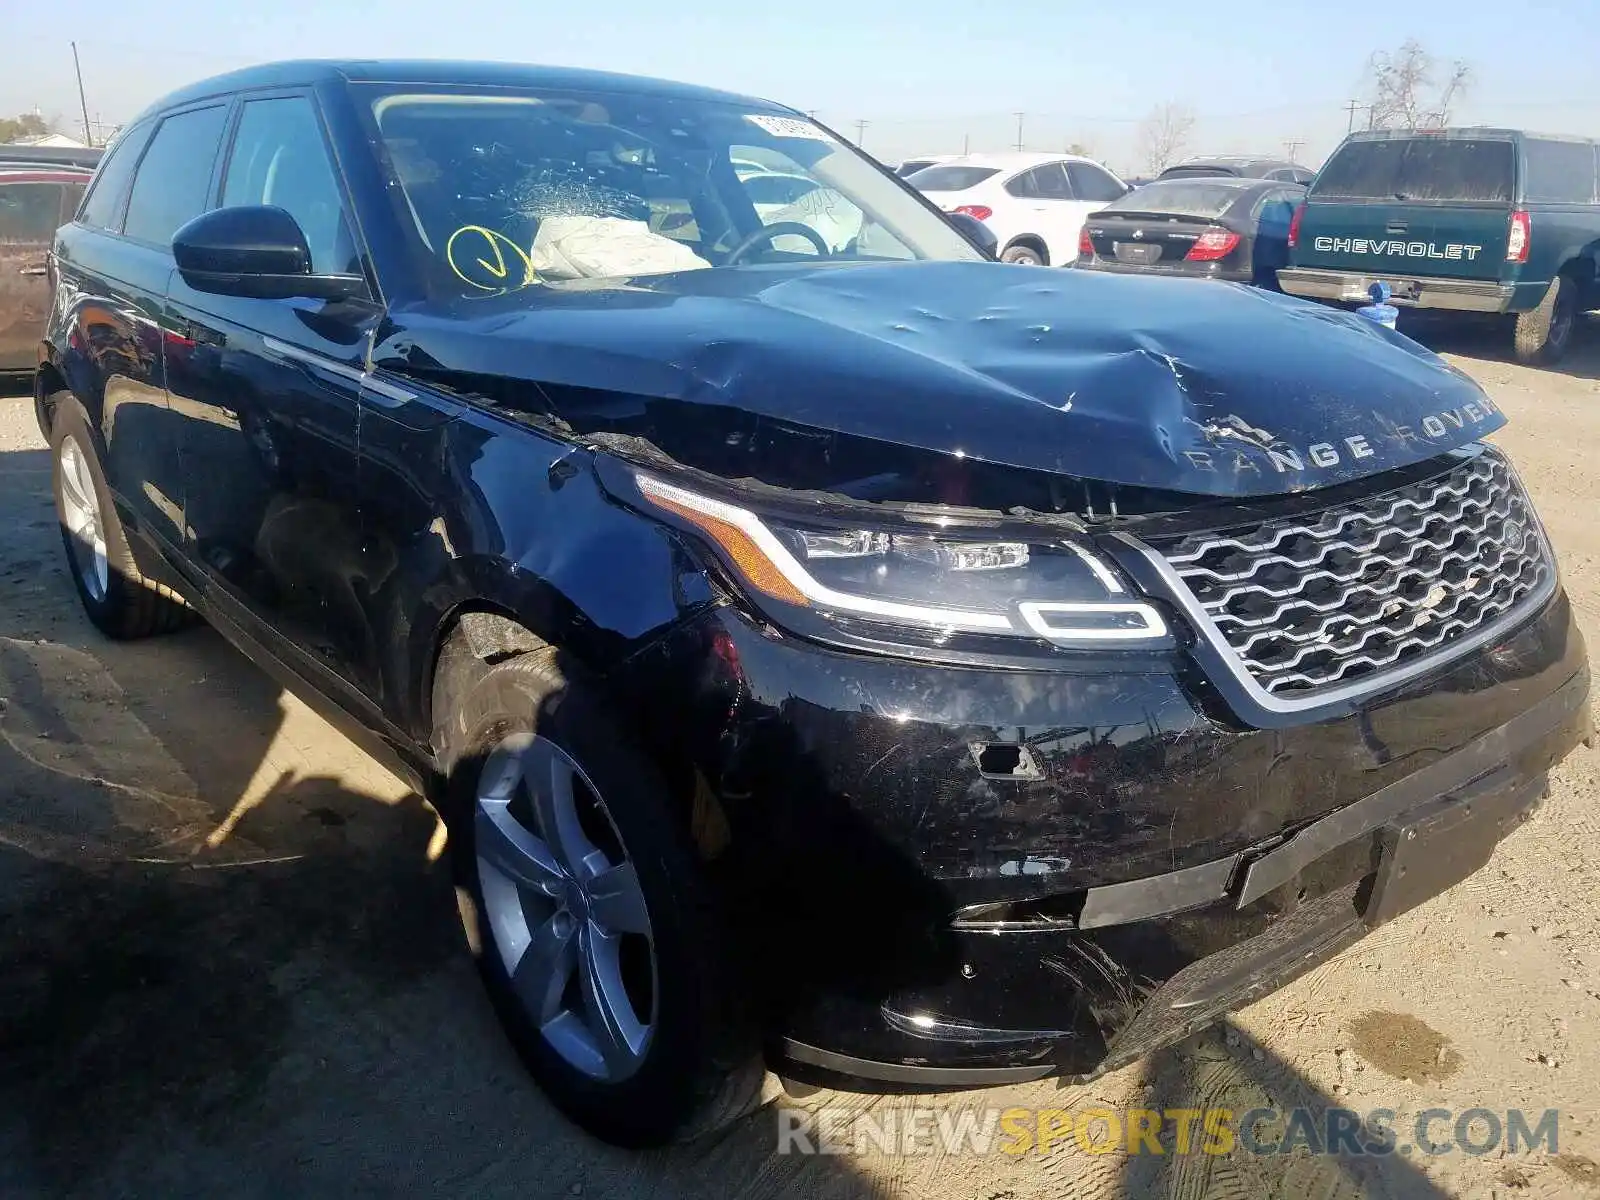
[(116, 596)]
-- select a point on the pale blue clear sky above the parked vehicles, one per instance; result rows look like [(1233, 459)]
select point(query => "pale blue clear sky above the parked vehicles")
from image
[(927, 78)]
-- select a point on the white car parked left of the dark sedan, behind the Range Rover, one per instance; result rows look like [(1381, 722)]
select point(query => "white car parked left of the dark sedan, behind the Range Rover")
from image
[(1036, 204)]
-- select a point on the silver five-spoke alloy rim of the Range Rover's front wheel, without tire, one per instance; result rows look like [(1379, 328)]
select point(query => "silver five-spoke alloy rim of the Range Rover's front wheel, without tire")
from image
[(566, 908)]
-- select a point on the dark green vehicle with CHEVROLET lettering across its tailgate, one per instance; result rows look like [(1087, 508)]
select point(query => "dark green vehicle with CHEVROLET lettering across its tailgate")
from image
[(1470, 220)]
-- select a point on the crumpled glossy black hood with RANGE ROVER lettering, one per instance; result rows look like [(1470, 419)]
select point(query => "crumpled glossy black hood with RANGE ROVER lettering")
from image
[(1178, 385)]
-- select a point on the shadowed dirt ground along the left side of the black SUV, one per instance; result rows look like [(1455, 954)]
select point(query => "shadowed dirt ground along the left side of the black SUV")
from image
[(233, 962)]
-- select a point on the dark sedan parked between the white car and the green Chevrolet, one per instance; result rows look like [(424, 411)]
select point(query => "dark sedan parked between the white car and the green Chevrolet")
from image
[(1228, 230)]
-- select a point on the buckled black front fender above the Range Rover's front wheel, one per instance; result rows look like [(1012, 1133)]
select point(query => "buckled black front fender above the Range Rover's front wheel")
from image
[(490, 516)]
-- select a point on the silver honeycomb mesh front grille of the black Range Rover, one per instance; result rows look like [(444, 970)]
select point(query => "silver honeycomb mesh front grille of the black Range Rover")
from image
[(1361, 590)]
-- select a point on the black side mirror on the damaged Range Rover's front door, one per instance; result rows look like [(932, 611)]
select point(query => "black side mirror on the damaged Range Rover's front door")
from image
[(258, 252)]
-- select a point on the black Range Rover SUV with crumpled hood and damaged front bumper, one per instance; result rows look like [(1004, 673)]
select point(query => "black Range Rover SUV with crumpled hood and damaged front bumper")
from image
[(831, 650)]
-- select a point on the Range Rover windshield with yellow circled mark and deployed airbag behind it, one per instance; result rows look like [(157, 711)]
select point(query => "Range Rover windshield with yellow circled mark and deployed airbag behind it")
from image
[(511, 190)]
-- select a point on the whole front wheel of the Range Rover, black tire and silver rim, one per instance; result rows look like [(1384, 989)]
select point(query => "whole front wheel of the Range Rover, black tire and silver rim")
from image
[(596, 934)]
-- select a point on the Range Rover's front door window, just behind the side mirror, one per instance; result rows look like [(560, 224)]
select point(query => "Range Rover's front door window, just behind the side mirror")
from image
[(281, 159)]
